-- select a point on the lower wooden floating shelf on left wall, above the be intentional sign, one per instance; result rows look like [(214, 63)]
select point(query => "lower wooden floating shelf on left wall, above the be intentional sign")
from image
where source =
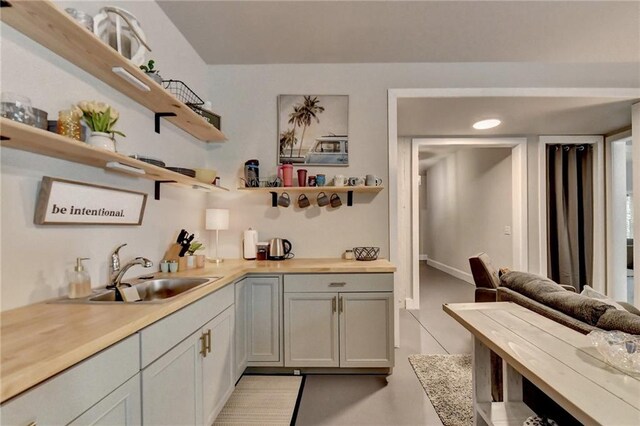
[(28, 138)]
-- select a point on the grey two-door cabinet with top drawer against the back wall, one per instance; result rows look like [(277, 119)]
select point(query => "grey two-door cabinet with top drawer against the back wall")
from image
[(338, 320)]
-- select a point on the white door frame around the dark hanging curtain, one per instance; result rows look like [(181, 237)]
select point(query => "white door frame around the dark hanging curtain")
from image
[(599, 241)]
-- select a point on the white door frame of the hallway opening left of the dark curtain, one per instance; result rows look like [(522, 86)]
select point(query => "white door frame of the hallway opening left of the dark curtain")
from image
[(519, 197)]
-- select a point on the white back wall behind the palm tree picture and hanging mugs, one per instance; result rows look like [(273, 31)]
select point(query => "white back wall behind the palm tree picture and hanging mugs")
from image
[(246, 96)]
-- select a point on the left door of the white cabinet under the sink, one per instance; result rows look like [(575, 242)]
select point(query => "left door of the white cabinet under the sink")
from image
[(172, 385)]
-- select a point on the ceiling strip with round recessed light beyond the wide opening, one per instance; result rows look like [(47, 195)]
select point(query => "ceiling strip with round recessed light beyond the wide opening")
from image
[(519, 115)]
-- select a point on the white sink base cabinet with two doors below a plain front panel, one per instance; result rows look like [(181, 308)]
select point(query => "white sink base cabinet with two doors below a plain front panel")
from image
[(189, 383)]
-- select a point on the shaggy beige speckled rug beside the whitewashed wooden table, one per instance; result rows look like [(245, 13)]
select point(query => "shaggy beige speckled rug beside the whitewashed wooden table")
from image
[(447, 381)]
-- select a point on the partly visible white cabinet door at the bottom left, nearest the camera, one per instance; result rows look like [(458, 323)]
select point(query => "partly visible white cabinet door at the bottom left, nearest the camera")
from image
[(120, 407)]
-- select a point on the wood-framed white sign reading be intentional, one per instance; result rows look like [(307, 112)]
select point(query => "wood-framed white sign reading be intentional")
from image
[(65, 202)]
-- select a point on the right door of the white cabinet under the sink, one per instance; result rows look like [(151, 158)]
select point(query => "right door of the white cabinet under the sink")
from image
[(218, 377)]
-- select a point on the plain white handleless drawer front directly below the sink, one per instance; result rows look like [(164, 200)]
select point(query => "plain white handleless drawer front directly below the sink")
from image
[(163, 335)]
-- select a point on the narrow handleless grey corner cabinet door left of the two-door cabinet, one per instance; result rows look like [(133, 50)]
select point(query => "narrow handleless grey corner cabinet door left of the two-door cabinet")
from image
[(264, 320)]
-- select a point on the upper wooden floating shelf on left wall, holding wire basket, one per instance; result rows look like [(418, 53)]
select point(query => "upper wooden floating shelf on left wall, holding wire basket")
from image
[(47, 24)]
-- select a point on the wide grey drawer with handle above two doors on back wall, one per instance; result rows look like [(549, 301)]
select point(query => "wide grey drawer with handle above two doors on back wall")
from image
[(296, 283)]
